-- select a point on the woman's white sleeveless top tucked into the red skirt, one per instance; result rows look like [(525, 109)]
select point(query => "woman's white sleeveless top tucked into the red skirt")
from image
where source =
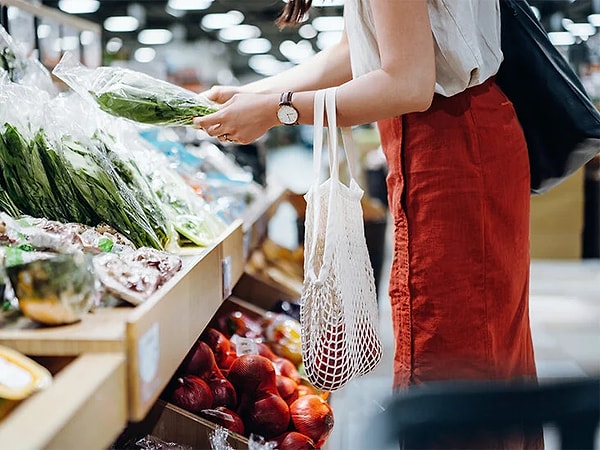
[(466, 35)]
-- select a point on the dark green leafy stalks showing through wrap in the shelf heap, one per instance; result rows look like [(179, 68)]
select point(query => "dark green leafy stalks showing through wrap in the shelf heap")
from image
[(74, 182)]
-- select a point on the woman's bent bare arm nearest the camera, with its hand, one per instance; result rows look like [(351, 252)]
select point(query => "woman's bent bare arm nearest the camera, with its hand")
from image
[(404, 83)]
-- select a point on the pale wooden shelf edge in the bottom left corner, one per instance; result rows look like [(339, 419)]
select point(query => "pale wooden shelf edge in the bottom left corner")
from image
[(84, 407)]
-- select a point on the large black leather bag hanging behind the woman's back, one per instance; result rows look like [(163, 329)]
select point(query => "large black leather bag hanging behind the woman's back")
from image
[(560, 122)]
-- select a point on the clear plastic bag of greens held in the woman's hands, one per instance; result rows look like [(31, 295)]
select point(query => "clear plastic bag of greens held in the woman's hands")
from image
[(133, 95)]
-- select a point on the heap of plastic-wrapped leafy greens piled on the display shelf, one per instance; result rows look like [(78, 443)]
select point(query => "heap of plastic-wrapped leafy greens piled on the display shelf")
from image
[(62, 161)]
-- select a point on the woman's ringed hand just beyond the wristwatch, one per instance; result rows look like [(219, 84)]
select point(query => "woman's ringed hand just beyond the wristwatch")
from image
[(242, 119)]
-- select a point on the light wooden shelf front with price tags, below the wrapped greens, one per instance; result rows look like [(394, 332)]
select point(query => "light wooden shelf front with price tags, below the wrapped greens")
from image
[(156, 335)]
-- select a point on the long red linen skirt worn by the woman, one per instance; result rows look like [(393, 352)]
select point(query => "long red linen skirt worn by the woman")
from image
[(459, 195)]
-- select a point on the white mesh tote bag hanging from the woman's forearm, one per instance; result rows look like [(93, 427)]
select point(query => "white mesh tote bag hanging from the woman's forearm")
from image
[(338, 309)]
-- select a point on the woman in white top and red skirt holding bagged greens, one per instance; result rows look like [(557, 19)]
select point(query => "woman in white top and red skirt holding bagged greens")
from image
[(458, 173)]
